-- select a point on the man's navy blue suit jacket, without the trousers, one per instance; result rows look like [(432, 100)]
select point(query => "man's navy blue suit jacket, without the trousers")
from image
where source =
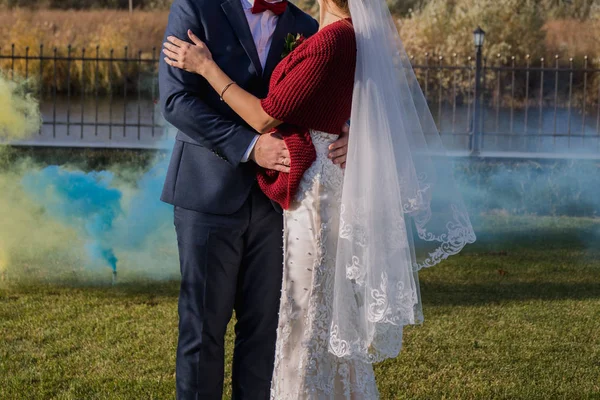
[(205, 173)]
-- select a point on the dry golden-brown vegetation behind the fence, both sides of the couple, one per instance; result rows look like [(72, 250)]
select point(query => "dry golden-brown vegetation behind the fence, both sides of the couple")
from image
[(141, 32)]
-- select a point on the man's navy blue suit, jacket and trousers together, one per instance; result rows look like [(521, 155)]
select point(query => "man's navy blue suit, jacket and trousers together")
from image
[(228, 232)]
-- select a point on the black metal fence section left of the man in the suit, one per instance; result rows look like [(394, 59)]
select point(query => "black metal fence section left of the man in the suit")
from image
[(90, 98)]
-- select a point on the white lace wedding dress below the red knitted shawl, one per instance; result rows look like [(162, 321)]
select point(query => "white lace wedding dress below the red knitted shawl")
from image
[(304, 368)]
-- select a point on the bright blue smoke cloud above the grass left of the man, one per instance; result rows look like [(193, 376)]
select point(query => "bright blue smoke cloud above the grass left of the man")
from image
[(93, 205)]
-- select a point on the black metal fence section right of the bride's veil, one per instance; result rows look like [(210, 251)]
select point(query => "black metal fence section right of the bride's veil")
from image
[(501, 106)]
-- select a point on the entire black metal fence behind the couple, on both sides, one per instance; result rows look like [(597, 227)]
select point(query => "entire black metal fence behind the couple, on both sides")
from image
[(486, 107)]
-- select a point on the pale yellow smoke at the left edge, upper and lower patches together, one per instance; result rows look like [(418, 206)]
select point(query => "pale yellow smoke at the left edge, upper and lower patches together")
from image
[(27, 237)]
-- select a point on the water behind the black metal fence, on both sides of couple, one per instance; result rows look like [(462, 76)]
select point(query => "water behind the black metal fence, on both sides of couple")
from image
[(114, 123)]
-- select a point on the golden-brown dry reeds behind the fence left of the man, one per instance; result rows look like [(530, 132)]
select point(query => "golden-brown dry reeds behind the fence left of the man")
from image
[(82, 30)]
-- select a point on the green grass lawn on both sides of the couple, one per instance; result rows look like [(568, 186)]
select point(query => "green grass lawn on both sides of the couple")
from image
[(516, 316)]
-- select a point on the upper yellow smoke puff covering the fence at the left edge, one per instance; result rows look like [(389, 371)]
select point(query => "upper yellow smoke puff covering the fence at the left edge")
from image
[(19, 111)]
